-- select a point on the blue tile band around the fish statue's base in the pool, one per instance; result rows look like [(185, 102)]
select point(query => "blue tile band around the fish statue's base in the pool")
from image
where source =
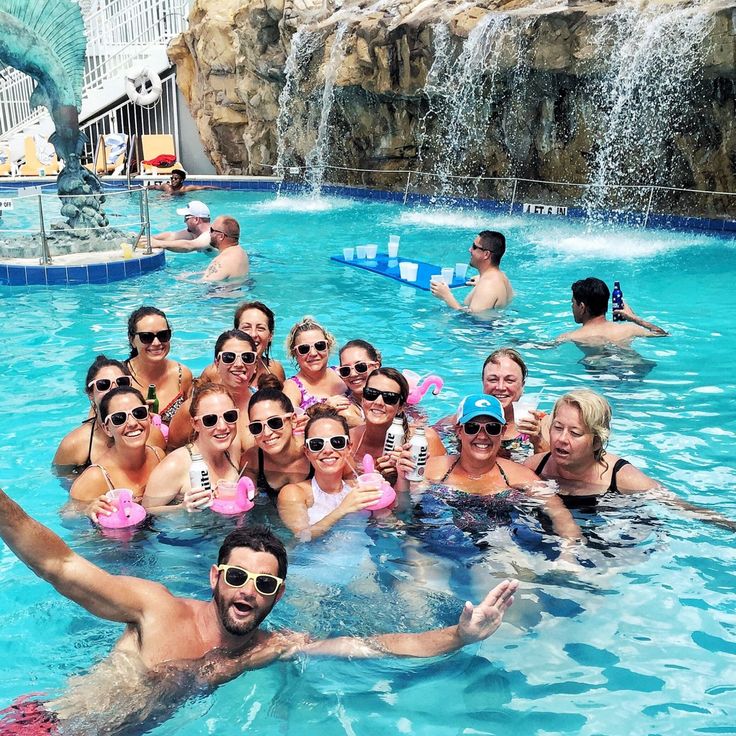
[(94, 273)]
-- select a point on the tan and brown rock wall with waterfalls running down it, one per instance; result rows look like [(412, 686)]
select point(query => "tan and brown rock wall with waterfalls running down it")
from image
[(600, 92)]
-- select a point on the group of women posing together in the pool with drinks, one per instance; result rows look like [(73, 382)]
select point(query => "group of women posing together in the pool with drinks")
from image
[(302, 440)]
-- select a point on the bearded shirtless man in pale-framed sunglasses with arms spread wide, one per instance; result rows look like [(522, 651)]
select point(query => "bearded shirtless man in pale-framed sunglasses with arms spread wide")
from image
[(172, 646)]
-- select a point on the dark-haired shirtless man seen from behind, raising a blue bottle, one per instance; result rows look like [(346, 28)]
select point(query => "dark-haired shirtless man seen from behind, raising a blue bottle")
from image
[(589, 305)]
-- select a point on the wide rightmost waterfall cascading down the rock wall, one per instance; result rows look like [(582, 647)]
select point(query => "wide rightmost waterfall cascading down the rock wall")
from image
[(650, 57)]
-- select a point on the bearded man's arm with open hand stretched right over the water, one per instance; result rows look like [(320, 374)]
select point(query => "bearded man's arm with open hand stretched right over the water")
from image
[(476, 623)]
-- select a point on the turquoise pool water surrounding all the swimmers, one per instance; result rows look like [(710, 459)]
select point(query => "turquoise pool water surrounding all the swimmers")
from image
[(643, 642)]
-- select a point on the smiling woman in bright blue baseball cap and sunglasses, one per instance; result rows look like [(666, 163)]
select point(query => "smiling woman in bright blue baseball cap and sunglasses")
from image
[(478, 469)]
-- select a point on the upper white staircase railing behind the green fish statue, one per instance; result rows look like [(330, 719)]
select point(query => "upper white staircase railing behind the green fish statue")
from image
[(119, 35)]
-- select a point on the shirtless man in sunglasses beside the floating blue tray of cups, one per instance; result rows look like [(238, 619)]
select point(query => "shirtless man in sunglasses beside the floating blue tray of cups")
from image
[(492, 289)]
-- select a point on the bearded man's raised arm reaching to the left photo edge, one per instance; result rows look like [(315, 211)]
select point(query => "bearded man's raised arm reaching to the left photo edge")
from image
[(113, 597)]
